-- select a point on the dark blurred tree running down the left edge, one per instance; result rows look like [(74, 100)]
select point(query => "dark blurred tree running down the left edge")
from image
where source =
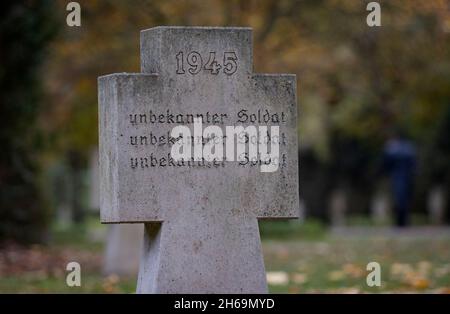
[(25, 30)]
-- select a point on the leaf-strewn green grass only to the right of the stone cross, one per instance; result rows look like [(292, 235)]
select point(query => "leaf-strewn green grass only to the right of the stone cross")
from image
[(339, 265)]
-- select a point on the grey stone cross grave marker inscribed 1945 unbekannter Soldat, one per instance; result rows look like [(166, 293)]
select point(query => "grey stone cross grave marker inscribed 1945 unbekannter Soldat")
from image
[(201, 216)]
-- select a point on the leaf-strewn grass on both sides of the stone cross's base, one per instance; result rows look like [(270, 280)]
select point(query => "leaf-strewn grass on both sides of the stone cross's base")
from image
[(299, 258)]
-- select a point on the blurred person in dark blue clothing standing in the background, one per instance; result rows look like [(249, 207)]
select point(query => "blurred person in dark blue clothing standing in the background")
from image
[(399, 161)]
